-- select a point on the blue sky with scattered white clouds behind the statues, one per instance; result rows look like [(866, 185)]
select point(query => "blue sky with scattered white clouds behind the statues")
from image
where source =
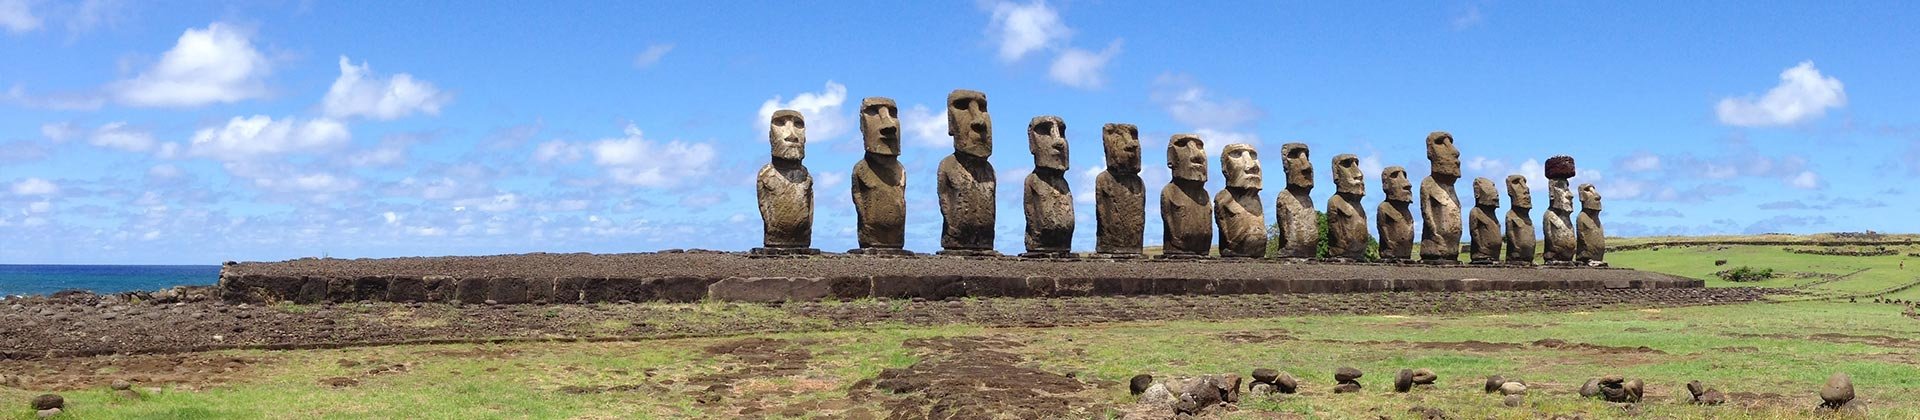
[(256, 131)]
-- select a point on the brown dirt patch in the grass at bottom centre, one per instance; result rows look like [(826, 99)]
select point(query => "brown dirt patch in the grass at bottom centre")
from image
[(980, 379)]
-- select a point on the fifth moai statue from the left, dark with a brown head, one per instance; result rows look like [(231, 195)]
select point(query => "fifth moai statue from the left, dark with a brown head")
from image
[(1120, 197)]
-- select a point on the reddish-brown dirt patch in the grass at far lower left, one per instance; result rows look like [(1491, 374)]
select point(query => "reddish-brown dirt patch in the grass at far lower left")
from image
[(145, 371)]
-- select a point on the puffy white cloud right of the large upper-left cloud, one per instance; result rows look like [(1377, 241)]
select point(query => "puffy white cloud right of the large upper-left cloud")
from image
[(358, 93)]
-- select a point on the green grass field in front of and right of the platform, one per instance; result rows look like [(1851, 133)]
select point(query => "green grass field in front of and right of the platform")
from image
[(1771, 358)]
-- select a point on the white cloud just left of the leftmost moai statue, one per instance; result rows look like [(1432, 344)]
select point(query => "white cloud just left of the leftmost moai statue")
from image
[(635, 160)]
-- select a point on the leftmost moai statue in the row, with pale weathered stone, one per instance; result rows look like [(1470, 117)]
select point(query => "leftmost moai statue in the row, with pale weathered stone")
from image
[(786, 191)]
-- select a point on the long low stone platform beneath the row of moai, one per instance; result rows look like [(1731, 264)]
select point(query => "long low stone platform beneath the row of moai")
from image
[(738, 277)]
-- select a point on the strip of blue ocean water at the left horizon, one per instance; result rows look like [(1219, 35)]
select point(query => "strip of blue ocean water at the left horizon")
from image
[(103, 279)]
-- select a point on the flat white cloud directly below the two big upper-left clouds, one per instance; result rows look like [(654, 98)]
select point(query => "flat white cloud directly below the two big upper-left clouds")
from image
[(260, 135)]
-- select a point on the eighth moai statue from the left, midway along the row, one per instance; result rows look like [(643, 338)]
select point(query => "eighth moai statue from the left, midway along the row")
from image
[(1293, 210)]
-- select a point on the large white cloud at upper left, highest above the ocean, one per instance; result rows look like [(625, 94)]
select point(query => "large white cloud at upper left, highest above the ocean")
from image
[(206, 66)]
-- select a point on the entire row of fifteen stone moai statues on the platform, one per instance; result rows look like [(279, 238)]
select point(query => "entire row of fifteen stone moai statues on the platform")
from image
[(1189, 220)]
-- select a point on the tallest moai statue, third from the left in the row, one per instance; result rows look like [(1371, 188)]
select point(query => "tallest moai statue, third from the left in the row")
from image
[(965, 183)]
